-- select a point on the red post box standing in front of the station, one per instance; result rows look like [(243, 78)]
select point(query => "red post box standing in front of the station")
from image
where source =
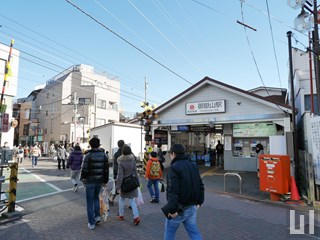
[(274, 174)]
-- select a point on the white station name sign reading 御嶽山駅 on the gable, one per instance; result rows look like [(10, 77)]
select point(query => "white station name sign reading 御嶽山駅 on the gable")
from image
[(214, 106)]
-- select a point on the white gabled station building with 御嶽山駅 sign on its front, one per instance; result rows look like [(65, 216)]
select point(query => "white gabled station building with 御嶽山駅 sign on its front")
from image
[(211, 110)]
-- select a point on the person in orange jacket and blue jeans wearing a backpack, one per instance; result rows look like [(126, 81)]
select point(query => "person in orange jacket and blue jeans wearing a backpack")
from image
[(153, 175)]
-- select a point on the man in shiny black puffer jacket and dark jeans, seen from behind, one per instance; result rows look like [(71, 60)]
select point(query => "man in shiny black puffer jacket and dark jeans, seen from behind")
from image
[(94, 175)]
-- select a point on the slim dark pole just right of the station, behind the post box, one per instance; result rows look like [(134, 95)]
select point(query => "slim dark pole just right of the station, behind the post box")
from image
[(295, 140)]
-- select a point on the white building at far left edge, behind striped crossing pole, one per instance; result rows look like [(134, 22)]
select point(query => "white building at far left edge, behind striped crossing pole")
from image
[(10, 88)]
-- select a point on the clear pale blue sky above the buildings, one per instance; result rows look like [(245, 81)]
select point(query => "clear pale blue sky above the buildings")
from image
[(184, 40)]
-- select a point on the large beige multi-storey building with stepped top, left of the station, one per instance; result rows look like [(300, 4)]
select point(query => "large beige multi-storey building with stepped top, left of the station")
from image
[(72, 103)]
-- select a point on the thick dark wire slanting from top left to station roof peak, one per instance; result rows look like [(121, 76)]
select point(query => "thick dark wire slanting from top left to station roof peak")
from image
[(129, 43)]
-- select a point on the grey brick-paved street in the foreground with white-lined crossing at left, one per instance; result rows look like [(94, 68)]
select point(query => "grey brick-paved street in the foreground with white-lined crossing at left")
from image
[(60, 214)]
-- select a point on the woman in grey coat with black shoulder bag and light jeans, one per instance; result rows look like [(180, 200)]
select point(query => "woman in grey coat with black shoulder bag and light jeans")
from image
[(126, 167)]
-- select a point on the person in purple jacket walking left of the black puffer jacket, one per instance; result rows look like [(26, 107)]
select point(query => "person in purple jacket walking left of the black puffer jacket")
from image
[(74, 163)]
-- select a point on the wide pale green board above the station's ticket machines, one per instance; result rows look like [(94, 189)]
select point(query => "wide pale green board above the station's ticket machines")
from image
[(254, 129)]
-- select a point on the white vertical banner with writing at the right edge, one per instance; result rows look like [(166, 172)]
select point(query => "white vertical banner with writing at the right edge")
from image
[(315, 135)]
